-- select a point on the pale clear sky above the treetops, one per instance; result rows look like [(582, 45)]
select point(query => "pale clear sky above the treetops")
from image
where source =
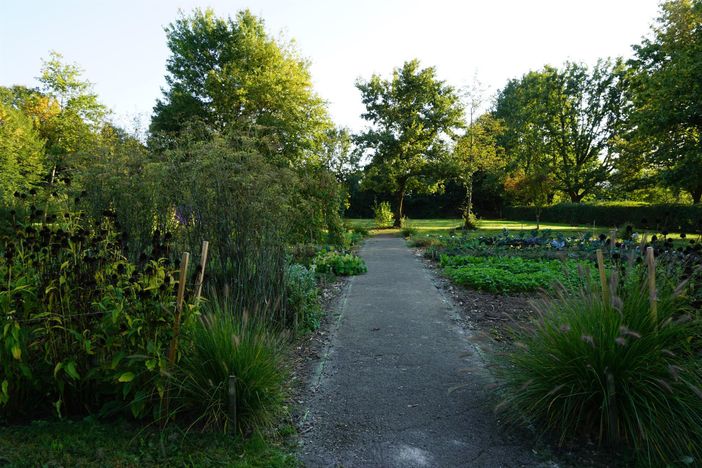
[(121, 45)]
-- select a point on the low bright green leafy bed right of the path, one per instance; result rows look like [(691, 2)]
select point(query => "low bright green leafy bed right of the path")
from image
[(509, 274)]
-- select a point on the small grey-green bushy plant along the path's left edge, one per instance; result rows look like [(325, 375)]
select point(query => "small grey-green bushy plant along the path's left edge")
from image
[(302, 298)]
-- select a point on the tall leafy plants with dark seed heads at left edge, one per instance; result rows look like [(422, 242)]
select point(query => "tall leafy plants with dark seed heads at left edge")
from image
[(83, 329)]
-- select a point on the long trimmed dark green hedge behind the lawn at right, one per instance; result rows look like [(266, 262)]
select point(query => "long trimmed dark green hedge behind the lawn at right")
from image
[(673, 217)]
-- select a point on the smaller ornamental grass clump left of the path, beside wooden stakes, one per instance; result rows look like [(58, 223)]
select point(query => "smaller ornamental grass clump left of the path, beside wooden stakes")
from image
[(225, 342)]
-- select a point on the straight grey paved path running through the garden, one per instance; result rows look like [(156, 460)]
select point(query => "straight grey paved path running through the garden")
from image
[(381, 394)]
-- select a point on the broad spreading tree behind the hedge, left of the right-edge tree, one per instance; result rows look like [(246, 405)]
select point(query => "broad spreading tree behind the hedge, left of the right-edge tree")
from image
[(564, 122)]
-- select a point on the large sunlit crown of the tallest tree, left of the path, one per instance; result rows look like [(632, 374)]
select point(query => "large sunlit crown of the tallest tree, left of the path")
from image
[(225, 73)]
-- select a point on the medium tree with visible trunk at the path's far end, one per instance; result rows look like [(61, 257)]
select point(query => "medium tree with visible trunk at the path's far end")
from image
[(413, 118)]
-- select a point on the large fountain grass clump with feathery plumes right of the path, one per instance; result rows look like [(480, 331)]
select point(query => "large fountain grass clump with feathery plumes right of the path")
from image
[(612, 370)]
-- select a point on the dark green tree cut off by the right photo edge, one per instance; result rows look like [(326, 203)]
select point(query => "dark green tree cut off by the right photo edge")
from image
[(666, 95)]
